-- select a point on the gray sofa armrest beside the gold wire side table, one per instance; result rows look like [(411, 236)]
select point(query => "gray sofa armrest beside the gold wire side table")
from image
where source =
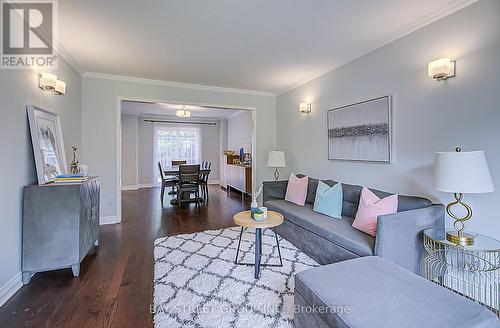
[(399, 235)]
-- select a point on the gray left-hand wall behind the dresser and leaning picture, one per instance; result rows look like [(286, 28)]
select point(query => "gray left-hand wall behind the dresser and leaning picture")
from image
[(18, 88)]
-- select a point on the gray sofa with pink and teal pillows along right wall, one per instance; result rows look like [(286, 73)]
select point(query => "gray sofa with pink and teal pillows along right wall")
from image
[(328, 240)]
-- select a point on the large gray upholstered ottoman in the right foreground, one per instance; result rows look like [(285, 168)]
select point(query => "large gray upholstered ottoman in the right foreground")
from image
[(382, 294)]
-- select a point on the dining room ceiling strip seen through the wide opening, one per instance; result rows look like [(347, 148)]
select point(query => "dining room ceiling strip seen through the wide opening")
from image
[(164, 109)]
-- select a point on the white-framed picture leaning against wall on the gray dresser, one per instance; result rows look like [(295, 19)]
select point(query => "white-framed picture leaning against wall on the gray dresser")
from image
[(48, 145)]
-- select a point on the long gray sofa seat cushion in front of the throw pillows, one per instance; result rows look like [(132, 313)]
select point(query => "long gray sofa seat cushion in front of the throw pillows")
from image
[(339, 232)]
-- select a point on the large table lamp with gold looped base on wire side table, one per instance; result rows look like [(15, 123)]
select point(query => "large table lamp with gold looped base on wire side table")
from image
[(461, 173)]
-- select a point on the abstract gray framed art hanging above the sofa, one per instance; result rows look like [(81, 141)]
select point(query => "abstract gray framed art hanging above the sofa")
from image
[(361, 131)]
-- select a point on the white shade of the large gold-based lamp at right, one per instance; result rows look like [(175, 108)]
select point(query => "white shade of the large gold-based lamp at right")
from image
[(462, 172)]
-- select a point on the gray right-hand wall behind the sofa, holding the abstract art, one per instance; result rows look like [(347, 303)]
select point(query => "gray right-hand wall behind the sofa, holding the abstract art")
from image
[(429, 116)]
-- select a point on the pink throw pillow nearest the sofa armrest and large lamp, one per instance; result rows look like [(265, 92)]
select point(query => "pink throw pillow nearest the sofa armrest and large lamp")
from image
[(370, 207)]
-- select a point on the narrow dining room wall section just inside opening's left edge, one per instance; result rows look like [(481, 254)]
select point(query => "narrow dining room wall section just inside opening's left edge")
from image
[(129, 150)]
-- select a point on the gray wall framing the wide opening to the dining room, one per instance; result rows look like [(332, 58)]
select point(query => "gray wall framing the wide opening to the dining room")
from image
[(101, 138)]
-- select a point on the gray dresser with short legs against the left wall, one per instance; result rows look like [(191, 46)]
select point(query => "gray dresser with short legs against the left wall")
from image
[(60, 226)]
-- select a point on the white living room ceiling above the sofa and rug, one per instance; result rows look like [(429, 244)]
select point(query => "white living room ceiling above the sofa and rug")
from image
[(255, 44)]
